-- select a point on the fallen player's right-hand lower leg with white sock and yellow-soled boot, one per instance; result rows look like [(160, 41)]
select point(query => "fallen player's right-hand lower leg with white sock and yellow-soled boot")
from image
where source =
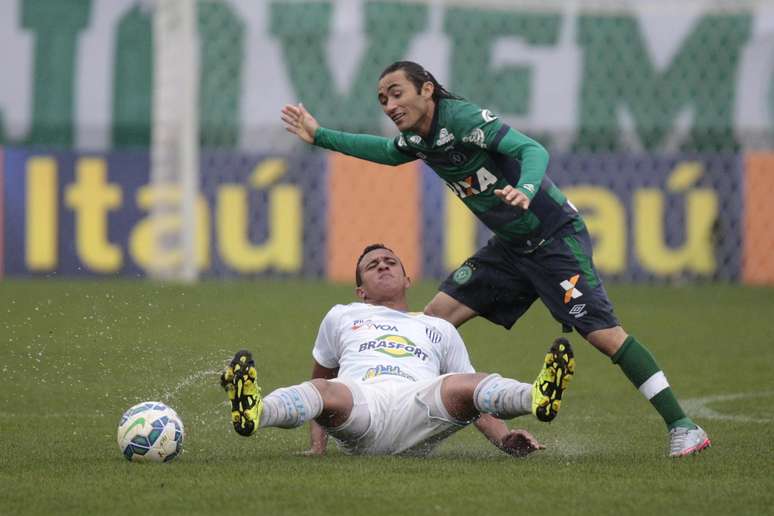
[(506, 398)]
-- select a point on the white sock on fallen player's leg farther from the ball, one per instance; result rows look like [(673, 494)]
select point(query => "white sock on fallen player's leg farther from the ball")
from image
[(502, 397)]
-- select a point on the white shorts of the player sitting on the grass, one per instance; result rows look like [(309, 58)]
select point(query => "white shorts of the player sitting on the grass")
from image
[(405, 417)]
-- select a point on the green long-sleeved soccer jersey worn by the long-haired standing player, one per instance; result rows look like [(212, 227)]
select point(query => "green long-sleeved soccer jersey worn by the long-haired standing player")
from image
[(474, 152)]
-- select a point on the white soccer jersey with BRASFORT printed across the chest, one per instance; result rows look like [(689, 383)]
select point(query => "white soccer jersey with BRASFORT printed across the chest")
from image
[(365, 341)]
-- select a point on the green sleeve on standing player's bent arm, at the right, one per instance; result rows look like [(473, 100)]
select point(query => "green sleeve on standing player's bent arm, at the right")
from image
[(481, 128)]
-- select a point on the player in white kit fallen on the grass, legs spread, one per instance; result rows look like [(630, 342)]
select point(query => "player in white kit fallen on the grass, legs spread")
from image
[(388, 381)]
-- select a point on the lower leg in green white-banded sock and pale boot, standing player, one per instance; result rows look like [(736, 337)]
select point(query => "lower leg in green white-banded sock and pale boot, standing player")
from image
[(640, 367)]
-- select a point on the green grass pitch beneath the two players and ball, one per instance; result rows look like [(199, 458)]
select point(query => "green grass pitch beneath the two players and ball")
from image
[(75, 355)]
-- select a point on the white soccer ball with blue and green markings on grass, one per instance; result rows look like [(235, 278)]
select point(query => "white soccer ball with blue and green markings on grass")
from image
[(150, 432)]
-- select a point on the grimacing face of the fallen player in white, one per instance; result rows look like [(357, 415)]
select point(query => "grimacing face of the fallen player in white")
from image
[(382, 277)]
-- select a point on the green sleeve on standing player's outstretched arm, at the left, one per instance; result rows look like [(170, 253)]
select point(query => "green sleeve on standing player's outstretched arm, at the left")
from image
[(364, 146)]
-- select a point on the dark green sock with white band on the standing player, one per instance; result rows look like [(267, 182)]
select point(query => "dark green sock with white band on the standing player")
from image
[(639, 366)]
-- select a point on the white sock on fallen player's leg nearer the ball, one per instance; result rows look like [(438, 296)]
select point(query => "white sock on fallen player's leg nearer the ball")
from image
[(290, 407)]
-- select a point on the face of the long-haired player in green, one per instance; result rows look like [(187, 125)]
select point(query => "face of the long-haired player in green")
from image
[(409, 109)]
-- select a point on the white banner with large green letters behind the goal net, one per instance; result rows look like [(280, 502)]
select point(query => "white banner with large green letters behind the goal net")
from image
[(648, 76)]
